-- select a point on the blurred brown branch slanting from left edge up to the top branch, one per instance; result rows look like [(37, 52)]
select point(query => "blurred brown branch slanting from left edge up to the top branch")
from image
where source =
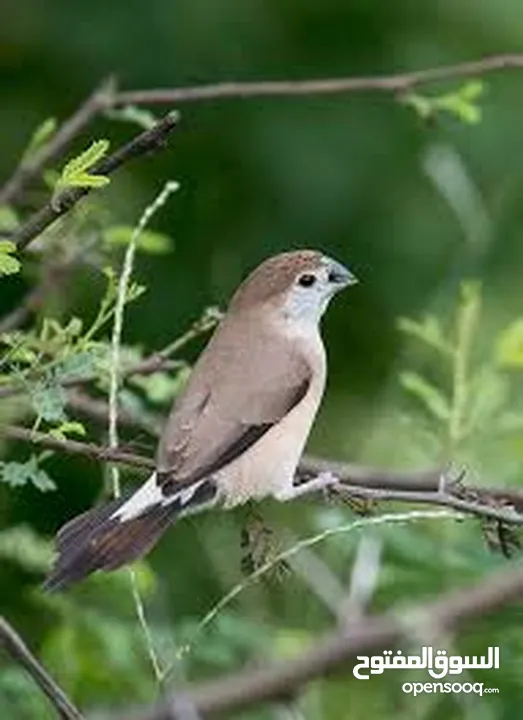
[(30, 168)]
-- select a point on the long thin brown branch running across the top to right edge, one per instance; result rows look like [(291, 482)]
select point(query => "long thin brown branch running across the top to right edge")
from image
[(397, 83)]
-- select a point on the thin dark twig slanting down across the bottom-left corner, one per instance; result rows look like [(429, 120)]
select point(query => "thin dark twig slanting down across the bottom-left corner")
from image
[(16, 647)]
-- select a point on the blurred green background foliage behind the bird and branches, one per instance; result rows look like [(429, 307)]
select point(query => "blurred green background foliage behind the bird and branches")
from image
[(413, 207)]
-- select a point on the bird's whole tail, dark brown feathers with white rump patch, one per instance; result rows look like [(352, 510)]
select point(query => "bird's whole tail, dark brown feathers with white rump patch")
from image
[(112, 535)]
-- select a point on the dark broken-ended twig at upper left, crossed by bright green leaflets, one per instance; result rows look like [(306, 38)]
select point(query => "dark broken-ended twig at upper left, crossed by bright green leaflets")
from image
[(146, 142)]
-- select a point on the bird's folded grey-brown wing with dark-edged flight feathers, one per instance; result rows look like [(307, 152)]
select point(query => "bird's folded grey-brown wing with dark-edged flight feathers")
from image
[(236, 393)]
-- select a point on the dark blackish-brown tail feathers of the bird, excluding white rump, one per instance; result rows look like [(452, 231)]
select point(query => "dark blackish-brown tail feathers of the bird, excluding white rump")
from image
[(95, 541)]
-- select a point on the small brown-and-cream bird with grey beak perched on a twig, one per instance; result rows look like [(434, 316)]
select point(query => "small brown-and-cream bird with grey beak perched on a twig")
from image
[(237, 431)]
